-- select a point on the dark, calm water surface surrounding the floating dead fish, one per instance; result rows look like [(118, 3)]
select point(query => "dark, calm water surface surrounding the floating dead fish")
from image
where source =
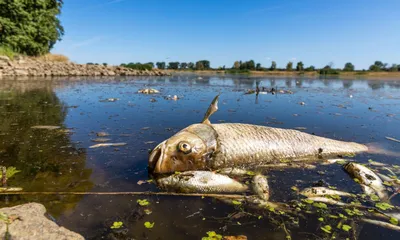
[(364, 111)]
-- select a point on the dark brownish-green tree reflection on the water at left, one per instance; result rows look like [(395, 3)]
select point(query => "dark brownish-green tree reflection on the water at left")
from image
[(48, 160)]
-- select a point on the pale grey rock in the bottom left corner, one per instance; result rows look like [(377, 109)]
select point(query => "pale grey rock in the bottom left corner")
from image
[(27, 222)]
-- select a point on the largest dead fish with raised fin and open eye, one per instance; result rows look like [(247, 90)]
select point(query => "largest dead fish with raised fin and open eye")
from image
[(215, 146)]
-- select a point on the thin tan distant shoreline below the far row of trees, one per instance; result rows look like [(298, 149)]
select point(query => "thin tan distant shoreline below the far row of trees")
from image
[(350, 75)]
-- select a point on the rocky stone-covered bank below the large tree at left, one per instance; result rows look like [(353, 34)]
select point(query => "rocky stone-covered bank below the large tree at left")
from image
[(24, 66)]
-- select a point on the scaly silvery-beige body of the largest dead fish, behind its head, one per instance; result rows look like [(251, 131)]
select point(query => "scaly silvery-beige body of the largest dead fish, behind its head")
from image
[(239, 143)]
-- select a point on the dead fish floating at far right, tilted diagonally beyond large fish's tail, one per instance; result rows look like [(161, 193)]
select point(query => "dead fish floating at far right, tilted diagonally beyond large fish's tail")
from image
[(368, 178)]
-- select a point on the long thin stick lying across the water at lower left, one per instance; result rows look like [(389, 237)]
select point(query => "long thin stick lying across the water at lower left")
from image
[(235, 196)]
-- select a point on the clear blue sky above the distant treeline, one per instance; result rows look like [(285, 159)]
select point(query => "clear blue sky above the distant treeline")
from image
[(313, 31)]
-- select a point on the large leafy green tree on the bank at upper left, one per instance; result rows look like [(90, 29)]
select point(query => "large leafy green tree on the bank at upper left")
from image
[(30, 27)]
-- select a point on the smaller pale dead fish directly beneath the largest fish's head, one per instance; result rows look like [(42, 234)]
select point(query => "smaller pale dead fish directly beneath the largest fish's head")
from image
[(201, 181)]
